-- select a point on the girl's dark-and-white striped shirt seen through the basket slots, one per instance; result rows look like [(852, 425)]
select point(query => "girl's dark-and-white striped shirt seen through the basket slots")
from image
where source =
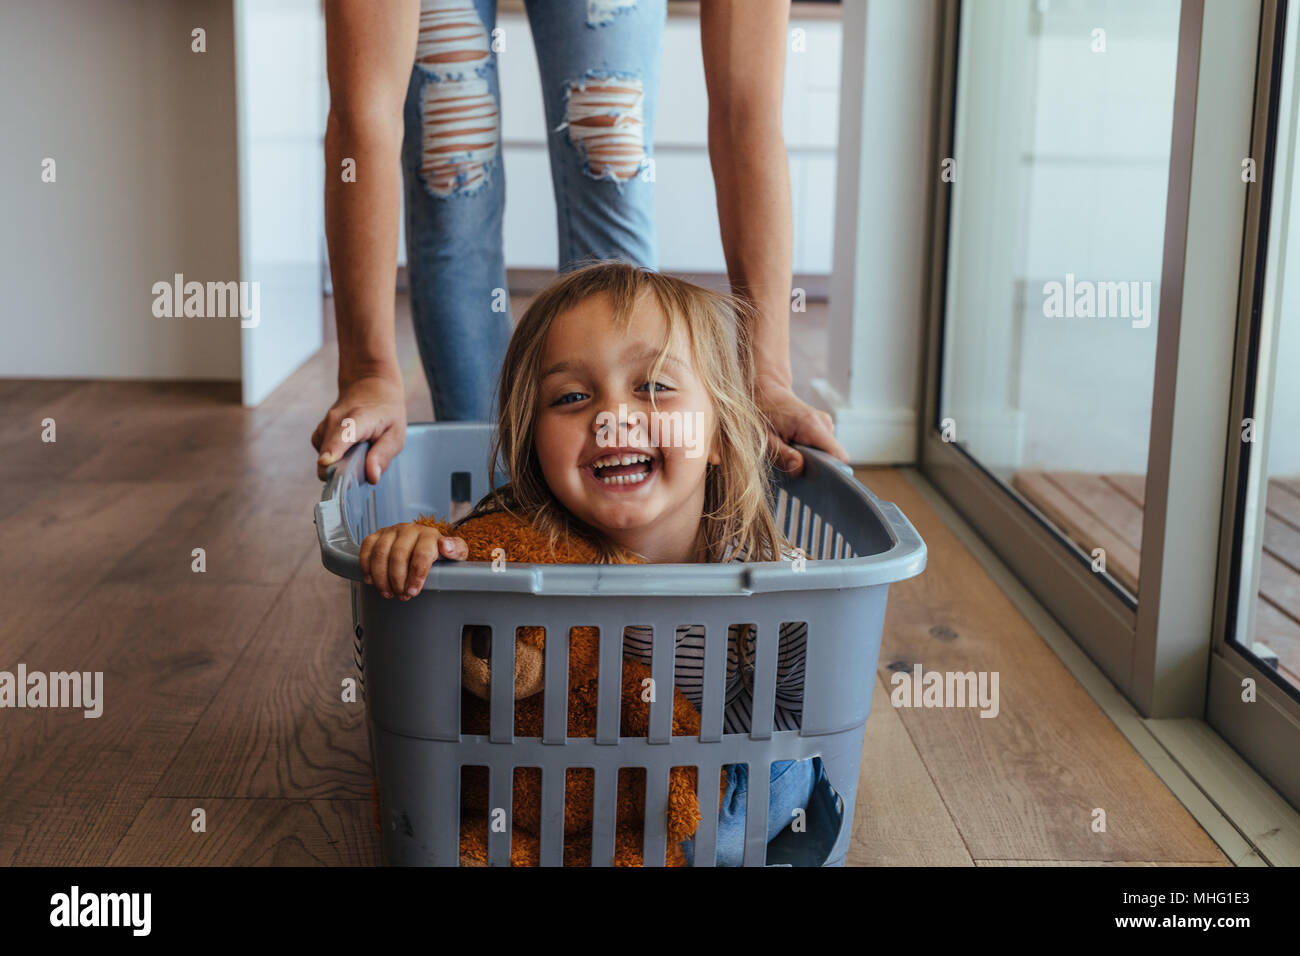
[(690, 667)]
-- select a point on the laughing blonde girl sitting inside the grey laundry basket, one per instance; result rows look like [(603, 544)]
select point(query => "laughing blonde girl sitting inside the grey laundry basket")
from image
[(605, 360)]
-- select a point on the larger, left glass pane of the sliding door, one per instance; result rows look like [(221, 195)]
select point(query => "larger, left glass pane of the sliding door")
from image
[(1056, 239)]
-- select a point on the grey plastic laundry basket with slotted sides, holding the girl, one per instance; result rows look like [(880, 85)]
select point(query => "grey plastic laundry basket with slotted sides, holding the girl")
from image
[(411, 657)]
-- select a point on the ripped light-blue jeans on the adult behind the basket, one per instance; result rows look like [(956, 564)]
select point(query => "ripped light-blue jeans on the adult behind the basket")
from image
[(600, 75)]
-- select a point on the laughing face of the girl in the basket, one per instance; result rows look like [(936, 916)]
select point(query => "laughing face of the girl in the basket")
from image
[(613, 461)]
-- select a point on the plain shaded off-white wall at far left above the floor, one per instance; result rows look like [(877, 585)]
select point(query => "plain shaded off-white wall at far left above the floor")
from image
[(142, 135)]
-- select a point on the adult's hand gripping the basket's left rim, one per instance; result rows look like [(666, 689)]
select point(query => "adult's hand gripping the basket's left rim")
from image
[(376, 406)]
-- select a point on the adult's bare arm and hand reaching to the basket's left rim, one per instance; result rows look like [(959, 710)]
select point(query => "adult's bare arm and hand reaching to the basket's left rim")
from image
[(370, 53)]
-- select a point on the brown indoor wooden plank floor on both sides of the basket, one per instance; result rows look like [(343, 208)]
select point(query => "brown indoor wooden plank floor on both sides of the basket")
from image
[(223, 689)]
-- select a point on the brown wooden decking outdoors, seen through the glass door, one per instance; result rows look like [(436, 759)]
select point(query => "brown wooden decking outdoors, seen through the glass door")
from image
[(1107, 512)]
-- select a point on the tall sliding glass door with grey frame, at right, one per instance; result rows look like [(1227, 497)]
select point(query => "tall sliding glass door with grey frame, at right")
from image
[(1113, 360)]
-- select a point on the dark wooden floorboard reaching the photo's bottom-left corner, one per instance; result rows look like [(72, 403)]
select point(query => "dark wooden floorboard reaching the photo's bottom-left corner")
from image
[(163, 654)]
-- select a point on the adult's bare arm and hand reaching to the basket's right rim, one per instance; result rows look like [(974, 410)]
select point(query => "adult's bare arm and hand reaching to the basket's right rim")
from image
[(744, 49)]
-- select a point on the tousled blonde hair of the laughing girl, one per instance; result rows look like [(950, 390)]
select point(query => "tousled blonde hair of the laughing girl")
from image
[(739, 491)]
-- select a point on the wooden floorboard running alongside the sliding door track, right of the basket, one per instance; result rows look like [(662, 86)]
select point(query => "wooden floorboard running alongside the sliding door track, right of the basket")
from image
[(1025, 785)]
